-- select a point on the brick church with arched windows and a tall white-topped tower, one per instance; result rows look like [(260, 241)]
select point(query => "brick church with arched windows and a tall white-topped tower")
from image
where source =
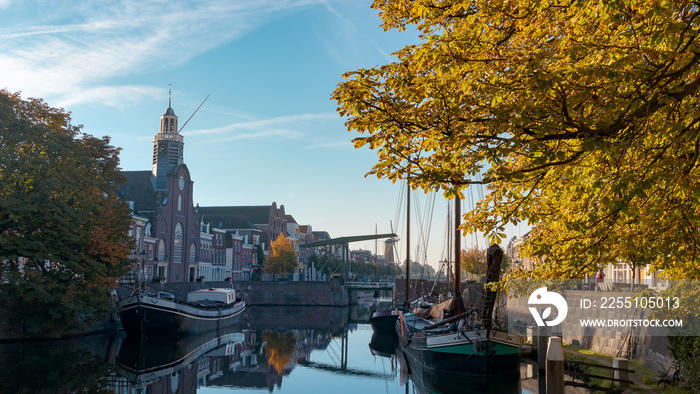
[(166, 225)]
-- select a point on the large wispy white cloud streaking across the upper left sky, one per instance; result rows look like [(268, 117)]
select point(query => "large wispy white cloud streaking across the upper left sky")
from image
[(73, 62)]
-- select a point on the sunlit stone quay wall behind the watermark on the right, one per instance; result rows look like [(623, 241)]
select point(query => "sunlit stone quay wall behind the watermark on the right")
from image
[(649, 345)]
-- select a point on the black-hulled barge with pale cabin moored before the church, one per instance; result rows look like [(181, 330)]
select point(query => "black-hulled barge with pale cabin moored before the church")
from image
[(147, 314)]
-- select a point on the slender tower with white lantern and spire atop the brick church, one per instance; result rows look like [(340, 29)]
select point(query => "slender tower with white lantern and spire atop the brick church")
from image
[(167, 148)]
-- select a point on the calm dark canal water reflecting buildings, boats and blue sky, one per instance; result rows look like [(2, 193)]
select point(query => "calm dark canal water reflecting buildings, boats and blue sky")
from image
[(272, 349)]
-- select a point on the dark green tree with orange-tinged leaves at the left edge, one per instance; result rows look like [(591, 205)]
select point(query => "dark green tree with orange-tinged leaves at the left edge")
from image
[(63, 234)]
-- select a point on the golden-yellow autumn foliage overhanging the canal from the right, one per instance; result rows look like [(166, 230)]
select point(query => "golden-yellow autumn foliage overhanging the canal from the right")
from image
[(580, 117)]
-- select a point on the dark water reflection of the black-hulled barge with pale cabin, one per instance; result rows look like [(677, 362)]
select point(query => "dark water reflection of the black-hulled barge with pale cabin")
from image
[(145, 360)]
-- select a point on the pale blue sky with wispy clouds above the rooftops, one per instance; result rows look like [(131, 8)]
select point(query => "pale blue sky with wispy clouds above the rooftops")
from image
[(268, 132)]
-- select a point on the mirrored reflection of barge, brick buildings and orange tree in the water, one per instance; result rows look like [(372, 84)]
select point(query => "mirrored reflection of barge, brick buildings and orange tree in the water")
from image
[(242, 358)]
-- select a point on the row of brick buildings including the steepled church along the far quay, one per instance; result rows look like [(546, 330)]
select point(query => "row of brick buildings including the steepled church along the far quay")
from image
[(176, 240)]
